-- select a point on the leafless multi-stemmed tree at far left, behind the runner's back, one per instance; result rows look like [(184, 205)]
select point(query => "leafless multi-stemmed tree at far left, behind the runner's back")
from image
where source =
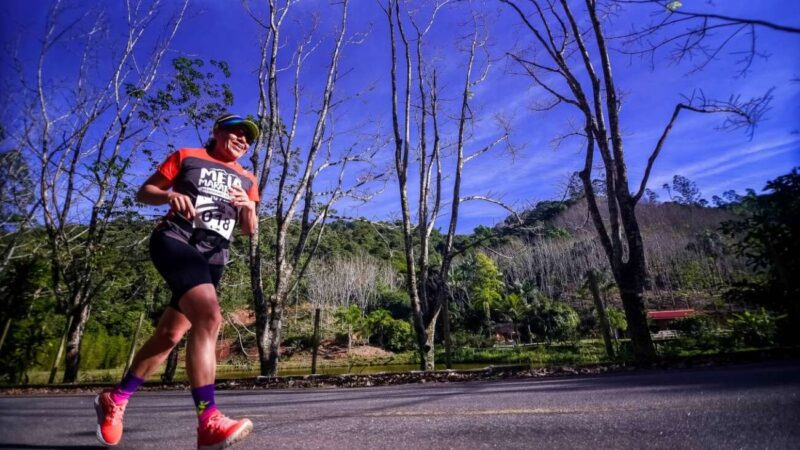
[(82, 138)]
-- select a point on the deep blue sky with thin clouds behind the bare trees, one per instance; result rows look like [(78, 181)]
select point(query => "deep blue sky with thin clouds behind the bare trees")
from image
[(716, 160)]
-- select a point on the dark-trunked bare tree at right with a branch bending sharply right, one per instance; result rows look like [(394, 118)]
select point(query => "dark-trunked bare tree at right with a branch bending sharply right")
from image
[(566, 52)]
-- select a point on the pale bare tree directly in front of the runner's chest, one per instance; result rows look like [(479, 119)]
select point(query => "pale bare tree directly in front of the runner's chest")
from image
[(295, 240)]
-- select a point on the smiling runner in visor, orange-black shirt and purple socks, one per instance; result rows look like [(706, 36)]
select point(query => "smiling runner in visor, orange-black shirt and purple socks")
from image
[(208, 193)]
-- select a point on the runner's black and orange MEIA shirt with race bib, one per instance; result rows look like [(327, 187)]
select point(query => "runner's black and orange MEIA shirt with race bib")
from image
[(206, 180)]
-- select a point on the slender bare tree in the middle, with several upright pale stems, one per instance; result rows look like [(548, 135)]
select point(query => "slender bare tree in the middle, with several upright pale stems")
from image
[(429, 294)]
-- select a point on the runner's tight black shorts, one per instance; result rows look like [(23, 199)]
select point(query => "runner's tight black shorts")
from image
[(182, 265)]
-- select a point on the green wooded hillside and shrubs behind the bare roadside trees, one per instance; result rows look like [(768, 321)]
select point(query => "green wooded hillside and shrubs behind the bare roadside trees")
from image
[(519, 297)]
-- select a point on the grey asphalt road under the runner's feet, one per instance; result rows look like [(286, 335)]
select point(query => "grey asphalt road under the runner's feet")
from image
[(752, 406)]
